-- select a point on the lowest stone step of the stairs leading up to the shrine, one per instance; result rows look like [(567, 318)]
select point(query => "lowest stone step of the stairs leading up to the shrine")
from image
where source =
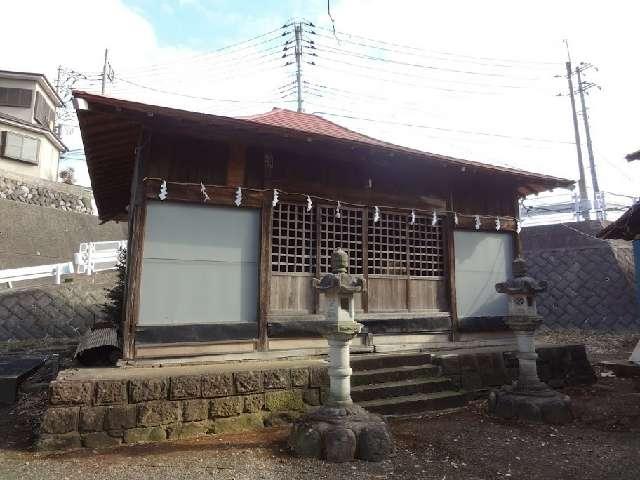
[(416, 403)]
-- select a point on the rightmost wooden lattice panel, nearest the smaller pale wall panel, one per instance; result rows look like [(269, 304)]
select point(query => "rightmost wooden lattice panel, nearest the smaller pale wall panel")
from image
[(426, 248)]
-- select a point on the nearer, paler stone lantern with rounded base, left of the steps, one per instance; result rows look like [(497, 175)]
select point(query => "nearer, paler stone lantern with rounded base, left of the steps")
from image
[(339, 431)]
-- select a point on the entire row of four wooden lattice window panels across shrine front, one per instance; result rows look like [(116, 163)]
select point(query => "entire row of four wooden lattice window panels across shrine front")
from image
[(394, 246)]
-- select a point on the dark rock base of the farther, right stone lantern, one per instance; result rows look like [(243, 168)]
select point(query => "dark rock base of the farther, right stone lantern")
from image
[(542, 405)]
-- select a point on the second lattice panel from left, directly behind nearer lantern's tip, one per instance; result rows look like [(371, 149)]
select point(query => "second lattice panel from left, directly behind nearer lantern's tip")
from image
[(344, 232)]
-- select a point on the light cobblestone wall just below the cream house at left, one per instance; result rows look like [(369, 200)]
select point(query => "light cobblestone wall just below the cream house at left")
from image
[(36, 191)]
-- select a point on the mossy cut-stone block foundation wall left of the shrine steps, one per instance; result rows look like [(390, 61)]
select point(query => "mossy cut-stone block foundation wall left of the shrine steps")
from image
[(104, 413)]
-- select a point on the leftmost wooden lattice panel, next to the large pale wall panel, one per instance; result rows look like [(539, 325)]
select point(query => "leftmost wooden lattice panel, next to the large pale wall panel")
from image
[(293, 247)]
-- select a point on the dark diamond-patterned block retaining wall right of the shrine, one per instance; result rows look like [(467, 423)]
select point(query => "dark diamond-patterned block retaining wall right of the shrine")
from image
[(591, 281)]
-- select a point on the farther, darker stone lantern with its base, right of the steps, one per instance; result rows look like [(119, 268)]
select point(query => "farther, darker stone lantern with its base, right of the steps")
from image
[(527, 398)]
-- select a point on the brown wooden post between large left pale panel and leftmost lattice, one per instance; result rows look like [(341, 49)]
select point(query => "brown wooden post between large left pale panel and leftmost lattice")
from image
[(266, 216)]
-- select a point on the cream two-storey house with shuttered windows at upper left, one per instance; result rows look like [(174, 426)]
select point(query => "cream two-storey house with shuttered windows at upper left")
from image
[(29, 144)]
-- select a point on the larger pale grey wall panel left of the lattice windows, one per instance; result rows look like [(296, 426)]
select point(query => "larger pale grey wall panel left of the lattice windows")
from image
[(200, 265)]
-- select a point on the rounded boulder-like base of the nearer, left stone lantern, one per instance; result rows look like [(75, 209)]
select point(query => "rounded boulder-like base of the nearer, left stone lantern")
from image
[(341, 434)]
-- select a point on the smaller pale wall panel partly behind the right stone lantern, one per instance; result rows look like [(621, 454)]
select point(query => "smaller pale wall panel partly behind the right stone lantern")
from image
[(482, 260)]
